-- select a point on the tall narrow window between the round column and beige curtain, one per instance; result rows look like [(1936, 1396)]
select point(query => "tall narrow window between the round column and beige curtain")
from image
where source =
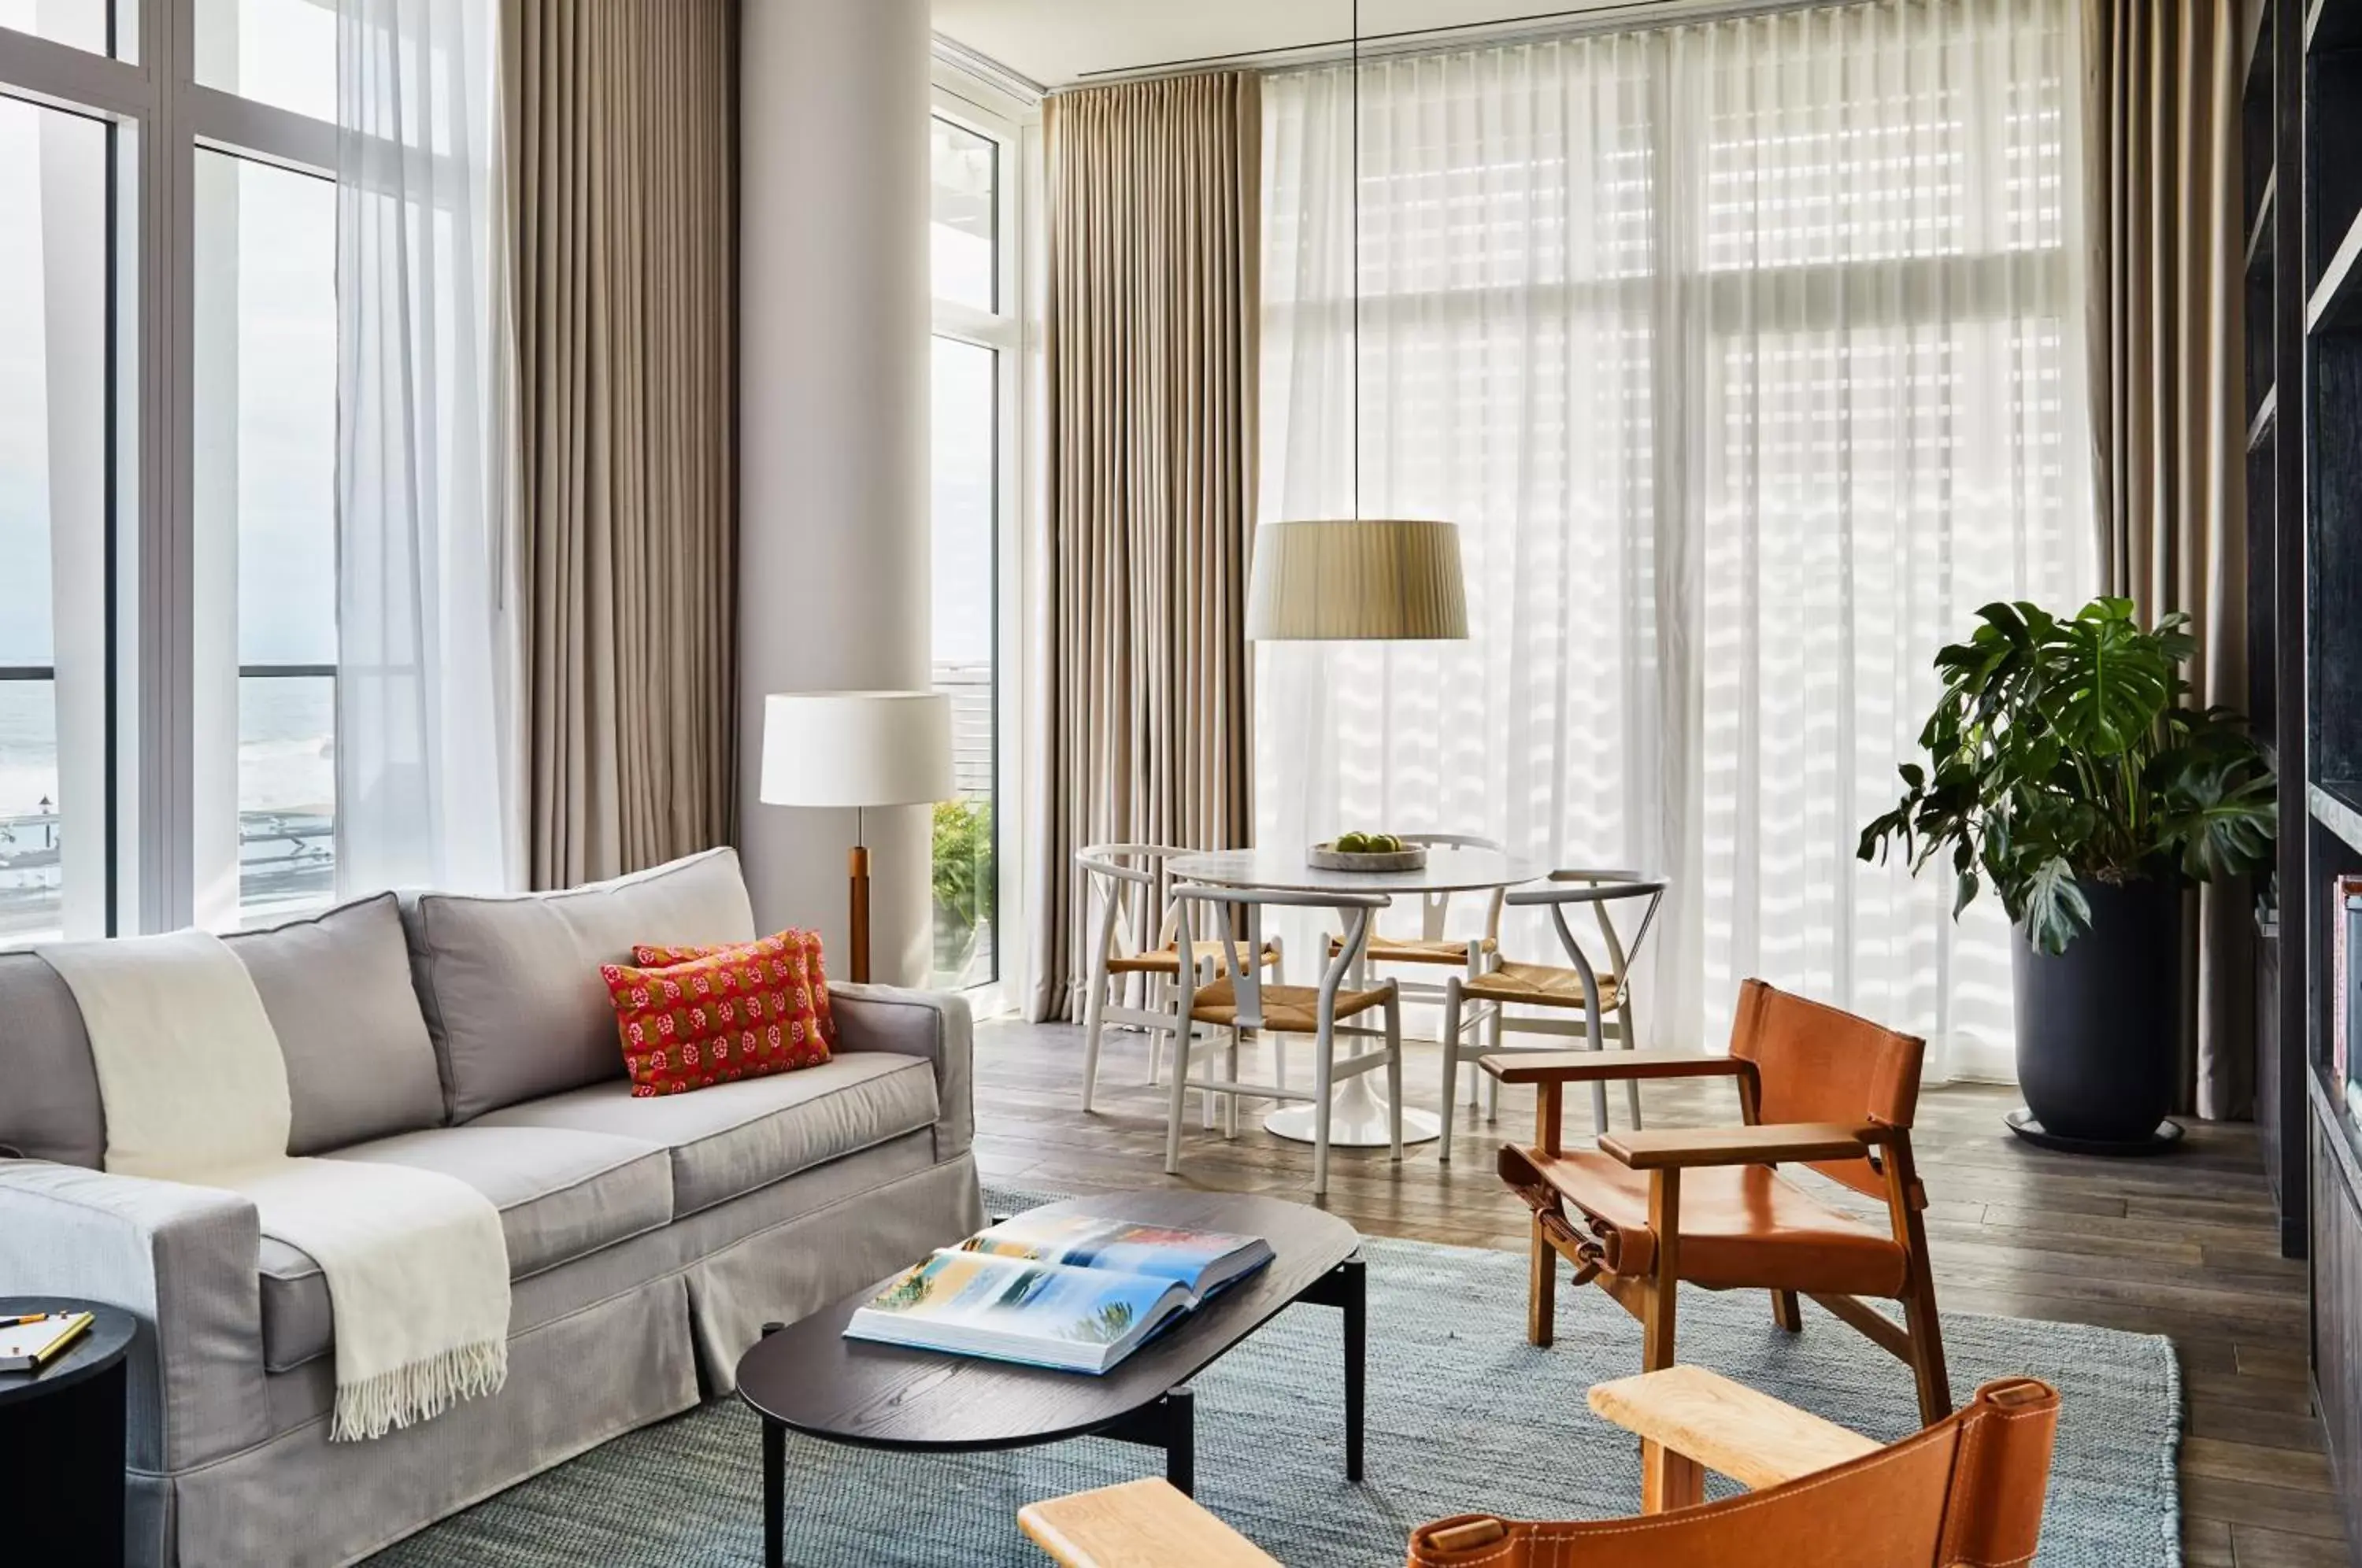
[(974, 360)]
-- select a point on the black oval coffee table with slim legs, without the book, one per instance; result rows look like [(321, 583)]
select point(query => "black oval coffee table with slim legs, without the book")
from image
[(818, 1383)]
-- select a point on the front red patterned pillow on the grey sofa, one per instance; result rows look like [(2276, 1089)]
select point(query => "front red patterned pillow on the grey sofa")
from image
[(736, 1014)]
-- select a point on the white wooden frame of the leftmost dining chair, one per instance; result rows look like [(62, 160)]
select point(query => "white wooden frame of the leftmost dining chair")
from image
[(1133, 941)]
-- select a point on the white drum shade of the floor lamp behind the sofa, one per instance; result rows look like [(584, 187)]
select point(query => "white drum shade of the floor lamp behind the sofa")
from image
[(856, 747)]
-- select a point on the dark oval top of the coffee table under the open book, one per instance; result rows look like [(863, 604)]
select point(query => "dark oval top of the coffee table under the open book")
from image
[(816, 1380)]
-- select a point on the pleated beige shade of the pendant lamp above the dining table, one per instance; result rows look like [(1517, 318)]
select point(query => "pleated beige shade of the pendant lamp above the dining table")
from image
[(1362, 580)]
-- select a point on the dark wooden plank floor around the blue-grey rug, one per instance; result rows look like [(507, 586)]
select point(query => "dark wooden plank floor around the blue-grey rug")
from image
[(2179, 1246)]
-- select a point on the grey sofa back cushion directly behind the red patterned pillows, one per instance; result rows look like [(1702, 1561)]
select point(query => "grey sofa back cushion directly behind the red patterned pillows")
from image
[(511, 986)]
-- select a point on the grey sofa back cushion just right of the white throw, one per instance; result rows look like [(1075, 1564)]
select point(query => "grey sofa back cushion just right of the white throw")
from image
[(339, 995)]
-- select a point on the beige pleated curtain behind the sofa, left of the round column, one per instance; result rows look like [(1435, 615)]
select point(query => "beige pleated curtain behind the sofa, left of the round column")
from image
[(625, 218)]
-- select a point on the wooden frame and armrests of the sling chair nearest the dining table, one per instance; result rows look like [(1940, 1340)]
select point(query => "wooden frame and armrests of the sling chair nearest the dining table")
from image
[(1664, 1156)]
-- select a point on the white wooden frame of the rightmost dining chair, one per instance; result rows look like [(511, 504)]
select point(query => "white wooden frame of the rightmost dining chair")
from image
[(1596, 1026)]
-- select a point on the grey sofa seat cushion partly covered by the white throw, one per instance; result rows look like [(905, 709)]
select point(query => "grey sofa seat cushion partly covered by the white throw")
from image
[(561, 1196)]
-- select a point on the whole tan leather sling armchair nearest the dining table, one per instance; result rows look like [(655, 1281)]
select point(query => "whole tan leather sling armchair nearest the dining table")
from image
[(1650, 1210)]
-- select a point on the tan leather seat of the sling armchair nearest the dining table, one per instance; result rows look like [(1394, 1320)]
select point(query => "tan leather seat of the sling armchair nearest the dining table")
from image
[(1742, 1227)]
